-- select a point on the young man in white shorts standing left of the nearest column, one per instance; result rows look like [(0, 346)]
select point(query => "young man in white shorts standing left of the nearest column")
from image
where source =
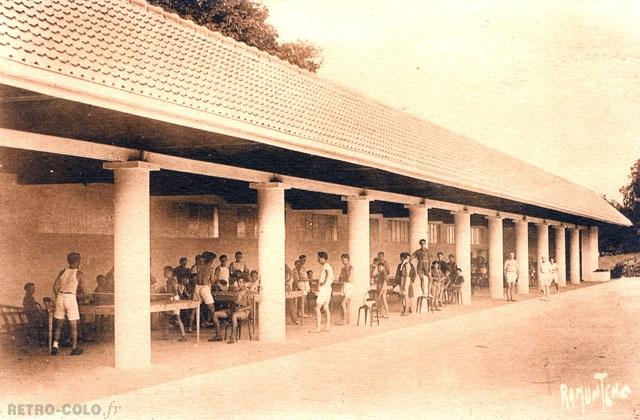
[(65, 287)]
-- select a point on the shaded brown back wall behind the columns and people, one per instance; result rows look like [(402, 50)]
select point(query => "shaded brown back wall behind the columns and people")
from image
[(41, 224)]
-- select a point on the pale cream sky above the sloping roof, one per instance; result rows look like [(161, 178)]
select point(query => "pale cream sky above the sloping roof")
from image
[(555, 83)]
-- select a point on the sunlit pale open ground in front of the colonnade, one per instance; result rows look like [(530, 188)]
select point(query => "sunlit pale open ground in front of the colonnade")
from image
[(506, 361)]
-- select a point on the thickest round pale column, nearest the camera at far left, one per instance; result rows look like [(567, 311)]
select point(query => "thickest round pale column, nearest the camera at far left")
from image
[(131, 262)]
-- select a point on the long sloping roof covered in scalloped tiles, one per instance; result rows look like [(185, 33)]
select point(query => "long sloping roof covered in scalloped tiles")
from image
[(134, 51)]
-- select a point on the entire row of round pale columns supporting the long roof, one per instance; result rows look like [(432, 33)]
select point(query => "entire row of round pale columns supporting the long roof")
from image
[(132, 256)]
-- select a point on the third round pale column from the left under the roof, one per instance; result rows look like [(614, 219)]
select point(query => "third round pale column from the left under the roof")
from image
[(359, 249)]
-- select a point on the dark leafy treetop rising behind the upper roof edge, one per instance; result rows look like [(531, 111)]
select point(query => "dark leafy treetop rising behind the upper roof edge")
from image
[(244, 21)]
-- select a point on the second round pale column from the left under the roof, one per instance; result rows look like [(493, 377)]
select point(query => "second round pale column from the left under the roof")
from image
[(271, 260)]
